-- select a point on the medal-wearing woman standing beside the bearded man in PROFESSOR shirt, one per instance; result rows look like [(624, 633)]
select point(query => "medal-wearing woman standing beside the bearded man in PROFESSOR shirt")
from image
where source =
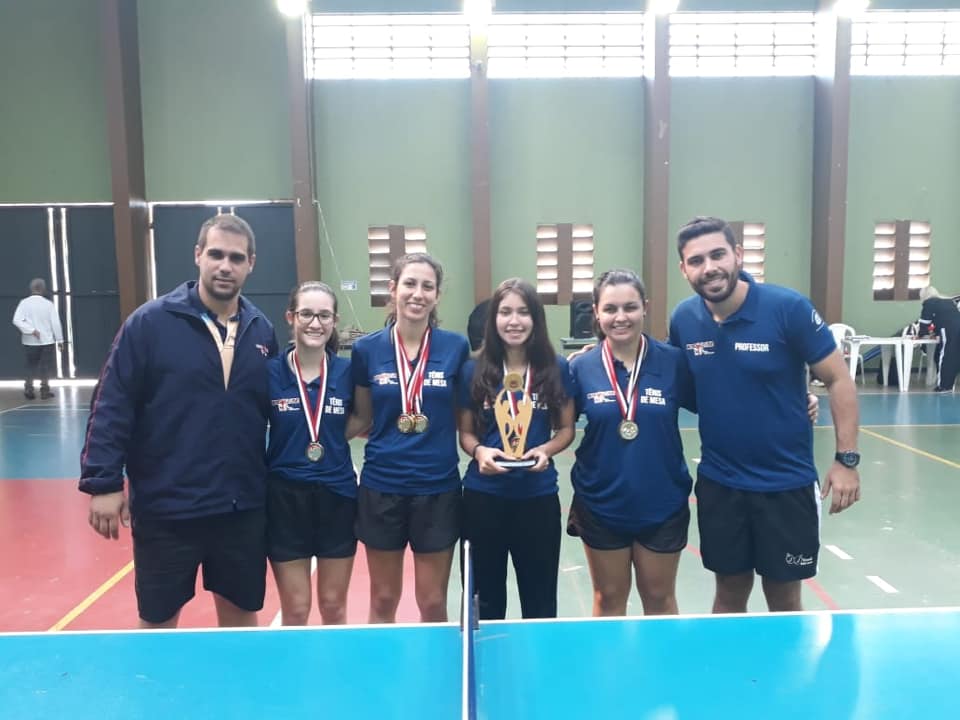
[(630, 479)]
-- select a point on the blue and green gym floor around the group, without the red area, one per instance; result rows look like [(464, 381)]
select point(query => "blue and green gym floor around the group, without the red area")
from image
[(898, 547)]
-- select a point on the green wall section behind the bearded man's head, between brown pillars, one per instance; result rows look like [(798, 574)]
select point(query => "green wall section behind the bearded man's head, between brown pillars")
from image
[(742, 149)]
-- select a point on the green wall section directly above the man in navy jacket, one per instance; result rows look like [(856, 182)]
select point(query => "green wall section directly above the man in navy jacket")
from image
[(214, 86)]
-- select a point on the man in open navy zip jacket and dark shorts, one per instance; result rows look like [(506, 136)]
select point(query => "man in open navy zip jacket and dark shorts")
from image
[(182, 407)]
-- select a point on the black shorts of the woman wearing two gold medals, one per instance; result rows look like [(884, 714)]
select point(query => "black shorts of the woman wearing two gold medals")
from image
[(430, 523)]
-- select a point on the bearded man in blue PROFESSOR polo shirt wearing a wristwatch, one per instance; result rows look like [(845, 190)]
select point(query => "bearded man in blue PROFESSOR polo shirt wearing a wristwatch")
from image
[(758, 505)]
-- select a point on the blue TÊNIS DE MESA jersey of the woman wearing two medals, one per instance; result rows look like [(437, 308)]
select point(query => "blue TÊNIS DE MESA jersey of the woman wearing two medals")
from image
[(416, 463)]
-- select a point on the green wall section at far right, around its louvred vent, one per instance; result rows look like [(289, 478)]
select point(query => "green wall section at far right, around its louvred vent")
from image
[(904, 164)]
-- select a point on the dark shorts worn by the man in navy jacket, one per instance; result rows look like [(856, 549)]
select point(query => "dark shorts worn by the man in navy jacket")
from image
[(166, 554)]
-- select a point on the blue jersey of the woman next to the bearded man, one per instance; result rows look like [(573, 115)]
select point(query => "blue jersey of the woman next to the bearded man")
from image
[(632, 484)]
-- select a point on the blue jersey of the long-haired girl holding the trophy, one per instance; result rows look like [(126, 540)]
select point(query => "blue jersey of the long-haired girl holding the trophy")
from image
[(519, 482)]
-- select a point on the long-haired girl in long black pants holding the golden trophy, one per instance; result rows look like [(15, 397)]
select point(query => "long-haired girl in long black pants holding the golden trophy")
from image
[(516, 413)]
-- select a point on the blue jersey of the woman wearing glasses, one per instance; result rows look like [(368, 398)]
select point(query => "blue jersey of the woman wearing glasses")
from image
[(289, 436)]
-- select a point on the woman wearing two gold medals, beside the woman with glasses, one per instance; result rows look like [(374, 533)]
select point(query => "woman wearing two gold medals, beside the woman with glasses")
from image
[(406, 378)]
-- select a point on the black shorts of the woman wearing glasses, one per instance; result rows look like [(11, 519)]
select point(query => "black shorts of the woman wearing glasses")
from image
[(308, 519)]
